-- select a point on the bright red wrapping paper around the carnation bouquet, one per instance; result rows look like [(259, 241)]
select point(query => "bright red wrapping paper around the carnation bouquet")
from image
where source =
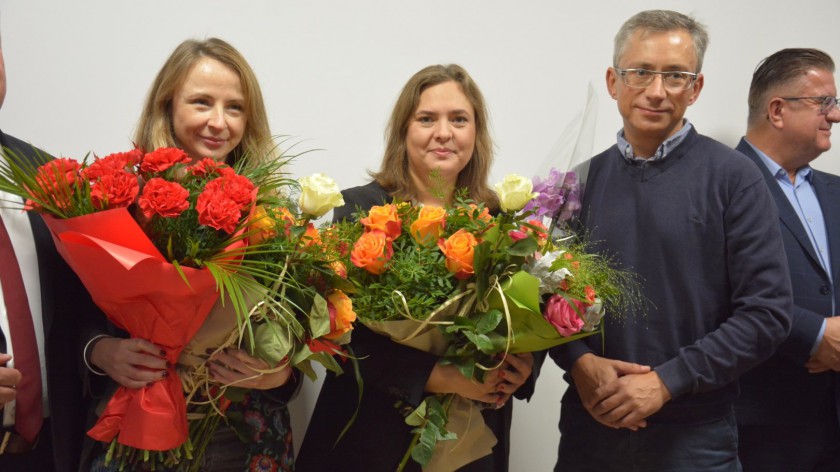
[(145, 295)]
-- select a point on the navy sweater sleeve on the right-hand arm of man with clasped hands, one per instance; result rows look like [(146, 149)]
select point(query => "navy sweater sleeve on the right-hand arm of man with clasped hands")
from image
[(760, 296)]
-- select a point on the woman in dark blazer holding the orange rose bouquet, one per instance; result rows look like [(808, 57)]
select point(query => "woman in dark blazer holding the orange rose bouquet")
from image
[(438, 123)]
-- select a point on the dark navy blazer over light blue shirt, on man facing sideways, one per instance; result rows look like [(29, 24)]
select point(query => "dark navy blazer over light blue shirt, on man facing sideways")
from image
[(781, 391)]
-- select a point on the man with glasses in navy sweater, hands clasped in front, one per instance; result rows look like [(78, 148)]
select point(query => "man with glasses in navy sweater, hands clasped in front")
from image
[(690, 217)]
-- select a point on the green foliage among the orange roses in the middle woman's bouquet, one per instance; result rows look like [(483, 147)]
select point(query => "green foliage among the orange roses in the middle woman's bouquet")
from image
[(482, 316)]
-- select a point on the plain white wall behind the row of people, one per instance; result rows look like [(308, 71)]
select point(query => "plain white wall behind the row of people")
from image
[(78, 72)]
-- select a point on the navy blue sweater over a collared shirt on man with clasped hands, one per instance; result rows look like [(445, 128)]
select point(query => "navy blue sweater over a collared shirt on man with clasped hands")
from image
[(700, 229)]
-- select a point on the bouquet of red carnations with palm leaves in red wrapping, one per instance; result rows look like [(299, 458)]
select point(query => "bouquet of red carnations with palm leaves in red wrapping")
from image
[(157, 240)]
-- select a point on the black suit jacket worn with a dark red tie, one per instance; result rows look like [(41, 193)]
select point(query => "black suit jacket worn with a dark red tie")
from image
[(66, 306)]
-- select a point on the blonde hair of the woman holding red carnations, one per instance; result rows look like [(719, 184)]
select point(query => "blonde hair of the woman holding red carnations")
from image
[(155, 128)]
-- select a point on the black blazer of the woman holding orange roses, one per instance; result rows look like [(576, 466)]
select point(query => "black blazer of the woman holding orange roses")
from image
[(394, 381)]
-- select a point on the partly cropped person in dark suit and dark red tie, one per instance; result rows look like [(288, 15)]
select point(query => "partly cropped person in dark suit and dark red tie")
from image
[(62, 307)]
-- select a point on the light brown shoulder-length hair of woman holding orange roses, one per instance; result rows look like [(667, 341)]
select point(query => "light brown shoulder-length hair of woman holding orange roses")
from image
[(394, 175)]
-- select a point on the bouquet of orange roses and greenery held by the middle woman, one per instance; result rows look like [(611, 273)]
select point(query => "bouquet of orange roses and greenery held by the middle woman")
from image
[(470, 287)]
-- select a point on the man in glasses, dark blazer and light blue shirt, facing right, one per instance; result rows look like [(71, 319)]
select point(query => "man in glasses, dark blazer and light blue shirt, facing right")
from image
[(788, 409)]
